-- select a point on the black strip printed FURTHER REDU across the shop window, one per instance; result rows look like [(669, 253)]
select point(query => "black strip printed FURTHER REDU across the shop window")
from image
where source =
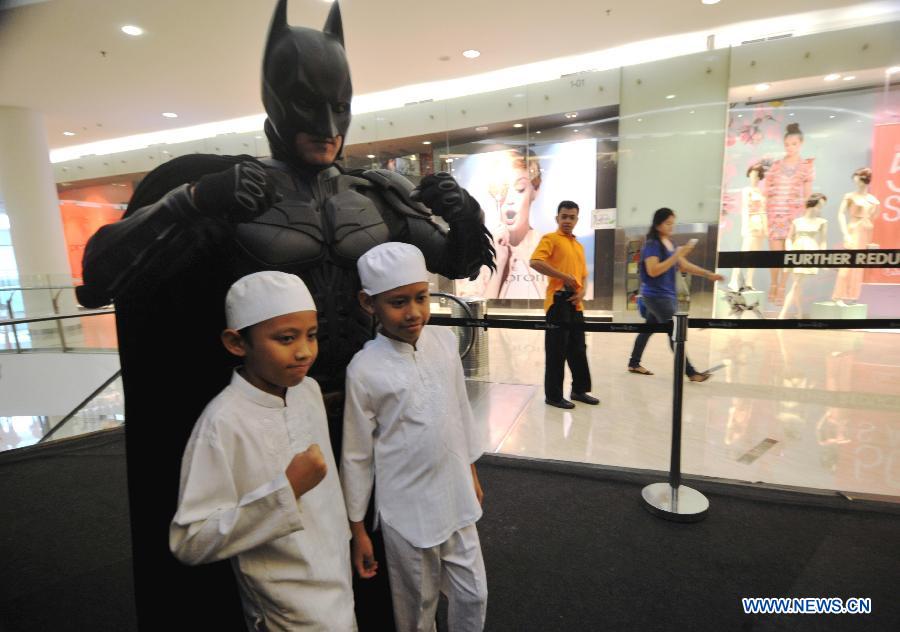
[(874, 258)]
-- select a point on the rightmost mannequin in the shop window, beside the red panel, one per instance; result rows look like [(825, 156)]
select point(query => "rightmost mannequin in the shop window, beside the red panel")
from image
[(855, 216)]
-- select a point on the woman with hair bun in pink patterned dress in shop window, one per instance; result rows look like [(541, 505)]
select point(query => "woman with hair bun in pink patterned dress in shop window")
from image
[(788, 185)]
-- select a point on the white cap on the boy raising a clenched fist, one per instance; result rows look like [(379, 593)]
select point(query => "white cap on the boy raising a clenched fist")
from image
[(264, 295)]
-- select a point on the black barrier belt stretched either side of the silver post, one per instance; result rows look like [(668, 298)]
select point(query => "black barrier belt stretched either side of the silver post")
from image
[(693, 323)]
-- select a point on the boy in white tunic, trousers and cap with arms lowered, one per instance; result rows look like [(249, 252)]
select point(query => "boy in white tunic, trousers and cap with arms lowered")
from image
[(408, 425)]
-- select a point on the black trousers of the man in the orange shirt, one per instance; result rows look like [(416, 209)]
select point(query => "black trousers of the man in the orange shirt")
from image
[(565, 345)]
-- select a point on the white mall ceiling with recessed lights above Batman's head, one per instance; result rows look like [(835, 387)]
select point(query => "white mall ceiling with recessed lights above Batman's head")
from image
[(201, 58)]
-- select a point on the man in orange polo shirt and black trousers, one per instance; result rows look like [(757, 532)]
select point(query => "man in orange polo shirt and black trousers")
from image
[(560, 258)]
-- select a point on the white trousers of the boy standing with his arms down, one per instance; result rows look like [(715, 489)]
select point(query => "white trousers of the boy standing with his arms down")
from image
[(455, 568)]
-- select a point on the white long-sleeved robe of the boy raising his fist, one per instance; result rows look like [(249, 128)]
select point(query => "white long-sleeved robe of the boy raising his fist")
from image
[(291, 556)]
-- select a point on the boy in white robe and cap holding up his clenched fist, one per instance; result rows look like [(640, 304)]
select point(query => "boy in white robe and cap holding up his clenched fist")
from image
[(258, 480)]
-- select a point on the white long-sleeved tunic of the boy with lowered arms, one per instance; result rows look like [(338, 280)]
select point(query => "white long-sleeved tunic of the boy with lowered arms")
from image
[(408, 425)]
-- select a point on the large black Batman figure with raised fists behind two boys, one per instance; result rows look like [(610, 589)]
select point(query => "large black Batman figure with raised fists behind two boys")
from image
[(198, 223)]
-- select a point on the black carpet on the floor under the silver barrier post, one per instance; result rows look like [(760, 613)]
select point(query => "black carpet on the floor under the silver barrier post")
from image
[(567, 547)]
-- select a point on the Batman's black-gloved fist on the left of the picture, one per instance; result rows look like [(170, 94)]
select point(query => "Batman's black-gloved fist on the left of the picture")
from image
[(238, 194)]
